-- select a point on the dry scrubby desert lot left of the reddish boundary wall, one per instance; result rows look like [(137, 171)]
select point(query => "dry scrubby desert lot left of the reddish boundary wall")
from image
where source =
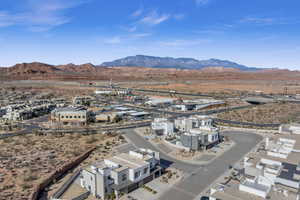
[(27, 160)]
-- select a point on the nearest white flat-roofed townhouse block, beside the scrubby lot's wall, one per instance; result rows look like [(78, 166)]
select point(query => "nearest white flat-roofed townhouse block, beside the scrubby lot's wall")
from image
[(121, 174)]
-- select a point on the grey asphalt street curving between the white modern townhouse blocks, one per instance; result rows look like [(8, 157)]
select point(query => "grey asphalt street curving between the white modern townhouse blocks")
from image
[(199, 177)]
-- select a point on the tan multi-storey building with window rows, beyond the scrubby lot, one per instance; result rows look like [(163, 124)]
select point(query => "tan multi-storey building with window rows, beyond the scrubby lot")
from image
[(70, 116)]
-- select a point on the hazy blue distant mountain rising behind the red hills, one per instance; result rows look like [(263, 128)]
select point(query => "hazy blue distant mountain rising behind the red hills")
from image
[(179, 63)]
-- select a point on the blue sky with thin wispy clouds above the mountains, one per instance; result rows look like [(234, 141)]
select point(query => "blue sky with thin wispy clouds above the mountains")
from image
[(263, 33)]
